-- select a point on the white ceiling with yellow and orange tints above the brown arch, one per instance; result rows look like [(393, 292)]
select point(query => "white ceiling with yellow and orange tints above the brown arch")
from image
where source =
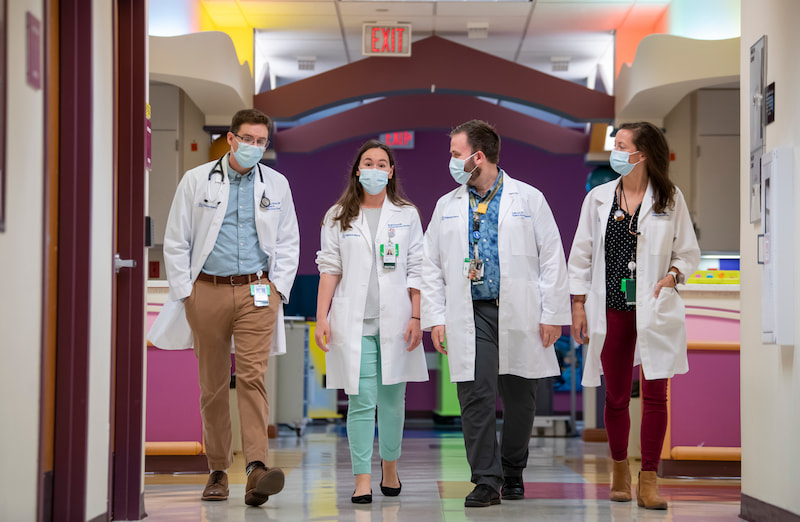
[(526, 32)]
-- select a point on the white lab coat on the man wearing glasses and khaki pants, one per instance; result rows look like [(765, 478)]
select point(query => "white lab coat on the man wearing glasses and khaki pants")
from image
[(191, 232)]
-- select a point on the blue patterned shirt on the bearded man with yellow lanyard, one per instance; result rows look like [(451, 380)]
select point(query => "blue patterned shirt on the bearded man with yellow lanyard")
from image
[(487, 244)]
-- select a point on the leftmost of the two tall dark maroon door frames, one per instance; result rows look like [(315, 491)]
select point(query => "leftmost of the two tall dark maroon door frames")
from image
[(73, 309)]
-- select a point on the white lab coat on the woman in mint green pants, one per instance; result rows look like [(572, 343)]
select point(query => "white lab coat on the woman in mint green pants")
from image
[(350, 253)]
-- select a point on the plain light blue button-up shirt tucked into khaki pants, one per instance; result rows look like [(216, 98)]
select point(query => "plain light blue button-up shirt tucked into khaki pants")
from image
[(237, 251)]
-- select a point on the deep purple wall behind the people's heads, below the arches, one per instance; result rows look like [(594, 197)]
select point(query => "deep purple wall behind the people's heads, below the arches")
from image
[(317, 181)]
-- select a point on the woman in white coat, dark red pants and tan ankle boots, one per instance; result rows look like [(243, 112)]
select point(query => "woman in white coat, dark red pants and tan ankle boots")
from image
[(634, 243)]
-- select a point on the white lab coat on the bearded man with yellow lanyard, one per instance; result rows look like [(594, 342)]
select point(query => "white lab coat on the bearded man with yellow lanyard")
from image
[(533, 281)]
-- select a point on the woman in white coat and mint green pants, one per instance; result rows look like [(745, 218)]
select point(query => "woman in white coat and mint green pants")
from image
[(368, 310)]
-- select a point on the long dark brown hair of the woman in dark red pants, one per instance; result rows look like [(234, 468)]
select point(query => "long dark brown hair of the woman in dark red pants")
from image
[(650, 141)]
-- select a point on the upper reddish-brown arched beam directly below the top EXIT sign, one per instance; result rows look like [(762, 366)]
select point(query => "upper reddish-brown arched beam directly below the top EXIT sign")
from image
[(437, 65)]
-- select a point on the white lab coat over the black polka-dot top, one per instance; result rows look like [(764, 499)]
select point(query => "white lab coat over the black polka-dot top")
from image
[(666, 240)]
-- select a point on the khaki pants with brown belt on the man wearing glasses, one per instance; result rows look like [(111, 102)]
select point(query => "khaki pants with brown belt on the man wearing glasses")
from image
[(217, 312)]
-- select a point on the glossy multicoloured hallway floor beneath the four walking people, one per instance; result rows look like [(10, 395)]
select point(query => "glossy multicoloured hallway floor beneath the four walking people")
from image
[(566, 480)]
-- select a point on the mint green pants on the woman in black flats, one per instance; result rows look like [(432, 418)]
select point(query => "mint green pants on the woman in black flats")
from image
[(390, 401)]
